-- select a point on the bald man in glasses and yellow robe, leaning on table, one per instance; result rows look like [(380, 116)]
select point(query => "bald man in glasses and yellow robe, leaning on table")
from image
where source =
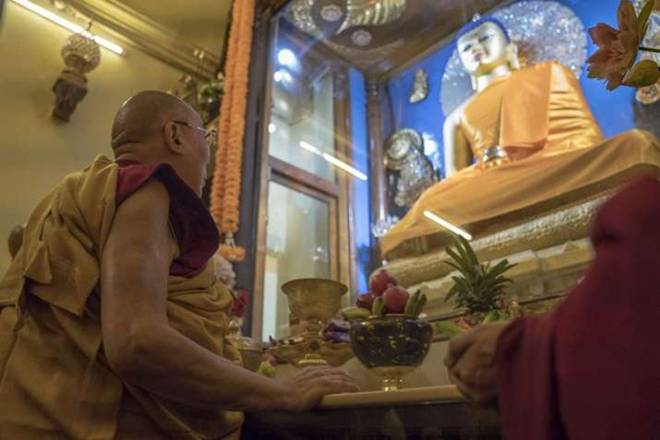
[(112, 323)]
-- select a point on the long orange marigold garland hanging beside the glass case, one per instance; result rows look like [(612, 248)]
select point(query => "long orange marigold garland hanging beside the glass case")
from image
[(226, 189)]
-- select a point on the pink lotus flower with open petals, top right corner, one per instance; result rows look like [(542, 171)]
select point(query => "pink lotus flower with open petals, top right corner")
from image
[(617, 48)]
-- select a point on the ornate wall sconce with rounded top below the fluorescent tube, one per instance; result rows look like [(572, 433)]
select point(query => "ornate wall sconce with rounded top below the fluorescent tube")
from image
[(81, 55)]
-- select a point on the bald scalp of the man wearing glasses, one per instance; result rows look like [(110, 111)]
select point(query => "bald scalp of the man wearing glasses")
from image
[(143, 115)]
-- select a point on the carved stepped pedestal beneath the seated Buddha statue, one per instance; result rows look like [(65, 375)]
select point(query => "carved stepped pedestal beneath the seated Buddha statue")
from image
[(551, 253)]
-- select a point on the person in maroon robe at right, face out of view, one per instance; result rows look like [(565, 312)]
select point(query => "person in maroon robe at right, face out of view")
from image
[(590, 369)]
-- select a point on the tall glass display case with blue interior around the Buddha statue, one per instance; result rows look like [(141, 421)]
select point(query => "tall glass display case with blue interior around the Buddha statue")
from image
[(353, 99)]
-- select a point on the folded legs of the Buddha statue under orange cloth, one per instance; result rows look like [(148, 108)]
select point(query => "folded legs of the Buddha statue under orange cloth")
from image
[(550, 179)]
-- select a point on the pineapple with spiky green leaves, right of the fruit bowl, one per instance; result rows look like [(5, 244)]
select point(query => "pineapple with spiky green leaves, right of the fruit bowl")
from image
[(479, 288)]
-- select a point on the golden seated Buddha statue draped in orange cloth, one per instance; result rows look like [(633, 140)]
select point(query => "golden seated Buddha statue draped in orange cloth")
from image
[(523, 145)]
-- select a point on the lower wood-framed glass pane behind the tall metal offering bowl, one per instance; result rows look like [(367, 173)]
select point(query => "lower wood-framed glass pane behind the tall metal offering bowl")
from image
[(298, 243)]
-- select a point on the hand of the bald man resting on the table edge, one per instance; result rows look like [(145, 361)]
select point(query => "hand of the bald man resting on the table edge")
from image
[(307, 388)]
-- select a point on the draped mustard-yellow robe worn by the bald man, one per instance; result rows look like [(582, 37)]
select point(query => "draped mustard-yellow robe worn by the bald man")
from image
[(55, 382)]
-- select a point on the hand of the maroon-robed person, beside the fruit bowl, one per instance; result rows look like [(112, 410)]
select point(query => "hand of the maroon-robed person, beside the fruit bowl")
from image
[(471, 362)]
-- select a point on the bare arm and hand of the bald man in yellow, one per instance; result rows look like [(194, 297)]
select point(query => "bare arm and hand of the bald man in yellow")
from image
[(145, 351)]
